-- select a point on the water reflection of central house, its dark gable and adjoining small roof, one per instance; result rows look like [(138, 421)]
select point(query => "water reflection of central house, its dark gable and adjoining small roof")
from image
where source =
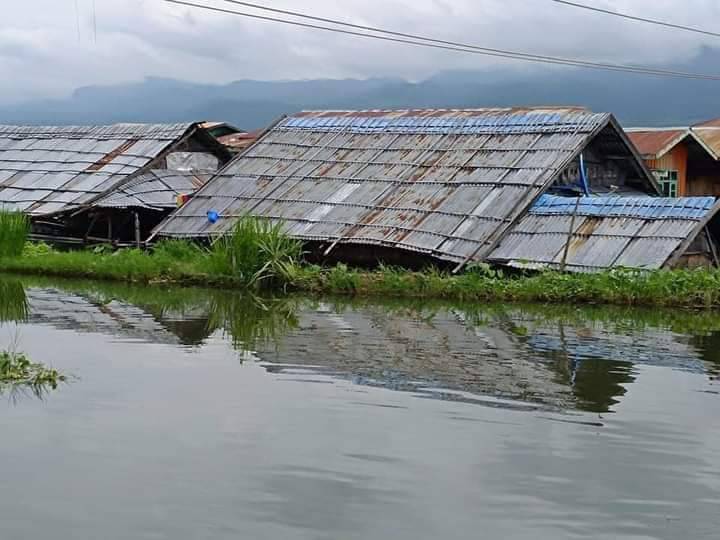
[(512, 354)]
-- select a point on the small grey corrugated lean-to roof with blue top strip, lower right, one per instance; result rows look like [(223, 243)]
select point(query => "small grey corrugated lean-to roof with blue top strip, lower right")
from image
[(607, 232)]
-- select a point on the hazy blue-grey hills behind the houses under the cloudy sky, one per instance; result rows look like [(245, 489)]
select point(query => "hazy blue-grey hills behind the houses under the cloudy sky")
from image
[(636, 100)]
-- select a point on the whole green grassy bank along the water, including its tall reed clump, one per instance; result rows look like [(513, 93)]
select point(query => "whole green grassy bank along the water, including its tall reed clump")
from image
[(259, 256)]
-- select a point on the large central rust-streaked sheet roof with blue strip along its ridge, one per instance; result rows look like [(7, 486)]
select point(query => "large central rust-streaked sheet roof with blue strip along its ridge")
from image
[(445, 183)]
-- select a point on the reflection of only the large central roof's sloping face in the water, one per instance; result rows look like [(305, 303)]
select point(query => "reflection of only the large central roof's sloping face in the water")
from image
[(407, 352)]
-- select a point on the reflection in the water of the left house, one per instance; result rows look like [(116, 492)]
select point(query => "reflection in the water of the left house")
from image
[(69, 311)]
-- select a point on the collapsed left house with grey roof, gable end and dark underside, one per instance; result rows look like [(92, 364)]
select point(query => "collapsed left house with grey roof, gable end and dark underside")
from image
[(54, 174)]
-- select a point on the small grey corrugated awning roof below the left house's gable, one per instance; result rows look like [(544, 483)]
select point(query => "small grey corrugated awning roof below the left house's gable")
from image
[(155, 190)]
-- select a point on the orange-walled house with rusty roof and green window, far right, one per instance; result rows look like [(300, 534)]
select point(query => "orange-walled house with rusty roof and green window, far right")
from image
[(684, 160)]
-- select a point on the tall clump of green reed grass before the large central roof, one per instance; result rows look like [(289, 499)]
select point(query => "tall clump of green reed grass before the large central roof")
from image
[(256, 253)]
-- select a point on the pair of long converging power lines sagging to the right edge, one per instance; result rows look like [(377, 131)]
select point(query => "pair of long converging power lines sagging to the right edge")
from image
[(436, 43)]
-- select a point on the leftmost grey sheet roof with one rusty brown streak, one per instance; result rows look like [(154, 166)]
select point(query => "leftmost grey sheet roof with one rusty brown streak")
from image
[(44, 170)]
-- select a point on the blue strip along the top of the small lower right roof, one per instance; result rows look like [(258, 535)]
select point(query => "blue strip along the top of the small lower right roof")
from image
[(694, 208)]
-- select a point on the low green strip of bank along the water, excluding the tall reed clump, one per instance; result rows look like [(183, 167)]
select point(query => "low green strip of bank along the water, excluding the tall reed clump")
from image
[(692, 289)]
